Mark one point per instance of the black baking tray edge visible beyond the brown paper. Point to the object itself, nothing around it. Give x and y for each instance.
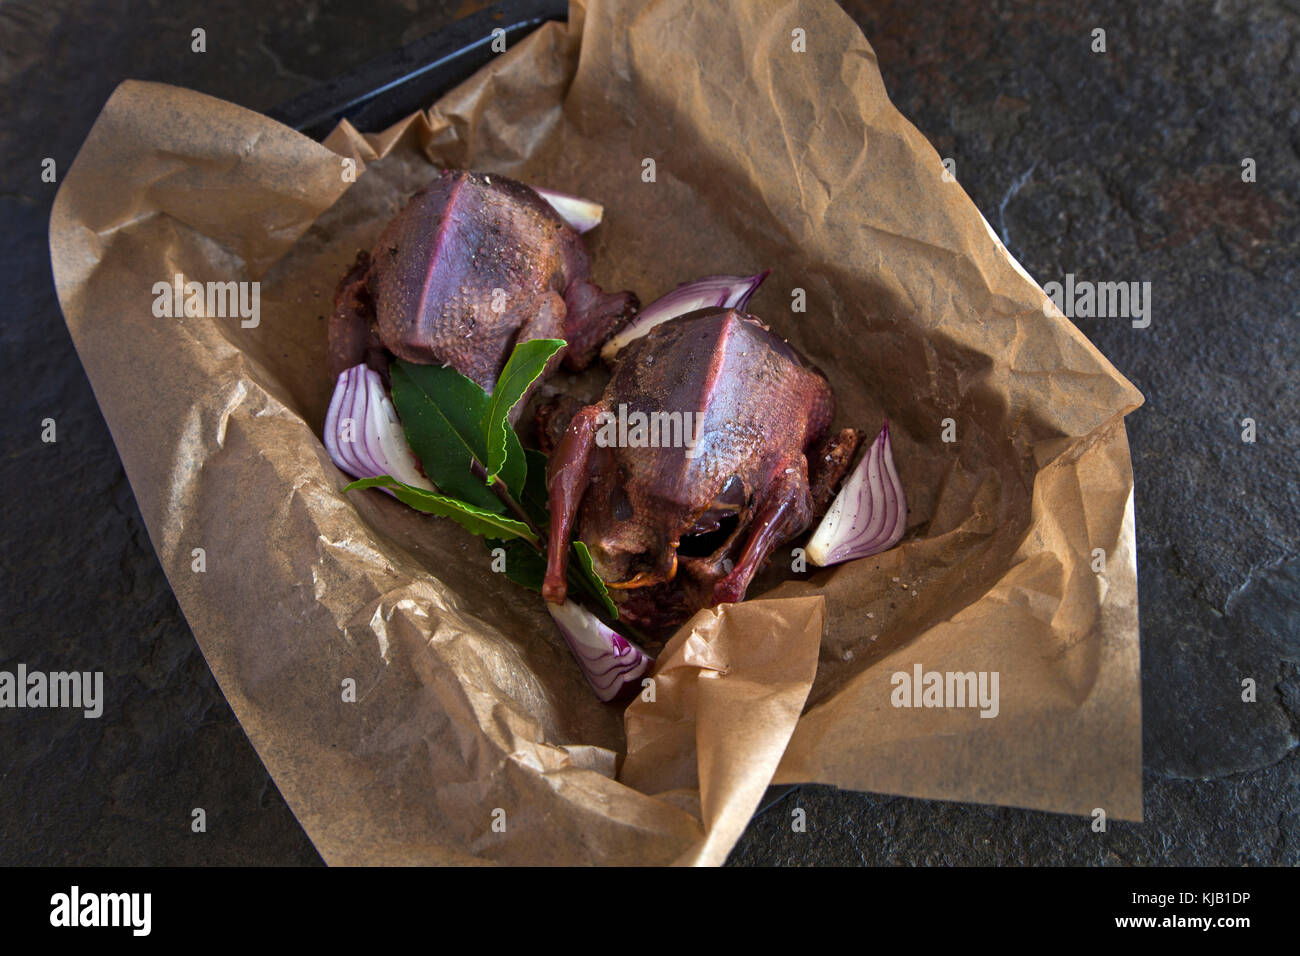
(410, 79)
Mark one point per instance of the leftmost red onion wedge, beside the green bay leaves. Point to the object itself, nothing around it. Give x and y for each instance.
(363, 435)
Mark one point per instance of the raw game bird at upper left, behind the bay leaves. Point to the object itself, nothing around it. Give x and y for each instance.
(471, 267)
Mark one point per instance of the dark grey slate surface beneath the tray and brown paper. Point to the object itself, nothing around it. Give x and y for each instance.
(1119, 166)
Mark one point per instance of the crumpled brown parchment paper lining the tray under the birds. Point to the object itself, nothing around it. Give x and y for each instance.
(474, 737)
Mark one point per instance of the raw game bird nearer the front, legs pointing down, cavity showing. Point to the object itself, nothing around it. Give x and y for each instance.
(673, 534)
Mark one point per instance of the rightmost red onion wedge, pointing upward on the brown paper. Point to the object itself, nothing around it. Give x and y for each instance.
(870, 513)
